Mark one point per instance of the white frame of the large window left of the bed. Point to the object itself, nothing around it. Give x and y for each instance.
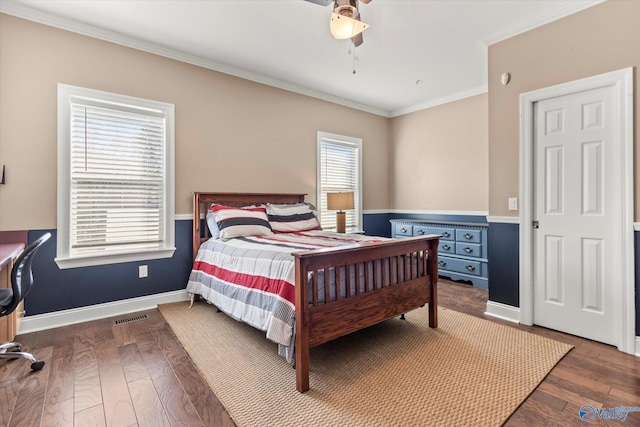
(64, 257)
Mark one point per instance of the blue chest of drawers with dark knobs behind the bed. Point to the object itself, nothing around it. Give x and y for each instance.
(462, 252)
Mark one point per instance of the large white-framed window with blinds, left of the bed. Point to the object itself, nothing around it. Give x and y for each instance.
(115, 178)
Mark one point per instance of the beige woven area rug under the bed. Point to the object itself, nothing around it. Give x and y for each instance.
(467, 372)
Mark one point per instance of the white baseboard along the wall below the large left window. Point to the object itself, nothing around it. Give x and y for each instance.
(72, 316)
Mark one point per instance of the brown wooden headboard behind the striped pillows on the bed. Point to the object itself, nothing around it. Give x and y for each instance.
(202, 201)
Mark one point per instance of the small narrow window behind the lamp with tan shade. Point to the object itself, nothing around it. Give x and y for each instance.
(339, 170)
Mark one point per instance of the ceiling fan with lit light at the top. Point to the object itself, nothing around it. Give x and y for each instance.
(345, 19)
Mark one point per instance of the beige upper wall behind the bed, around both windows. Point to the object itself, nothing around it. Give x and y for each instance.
(231, 134)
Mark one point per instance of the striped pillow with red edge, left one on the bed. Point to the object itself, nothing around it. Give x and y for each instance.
(241, 222)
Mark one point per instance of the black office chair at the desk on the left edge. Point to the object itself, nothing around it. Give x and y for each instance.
(21, 282)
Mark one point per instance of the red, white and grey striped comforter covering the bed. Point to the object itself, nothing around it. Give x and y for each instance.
(252, 279)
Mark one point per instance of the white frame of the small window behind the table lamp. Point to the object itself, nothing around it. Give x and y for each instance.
(357, 202)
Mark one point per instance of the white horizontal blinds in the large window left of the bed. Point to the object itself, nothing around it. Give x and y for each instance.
(117, 179)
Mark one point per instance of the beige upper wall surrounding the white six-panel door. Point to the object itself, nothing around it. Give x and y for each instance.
(600, 39)
